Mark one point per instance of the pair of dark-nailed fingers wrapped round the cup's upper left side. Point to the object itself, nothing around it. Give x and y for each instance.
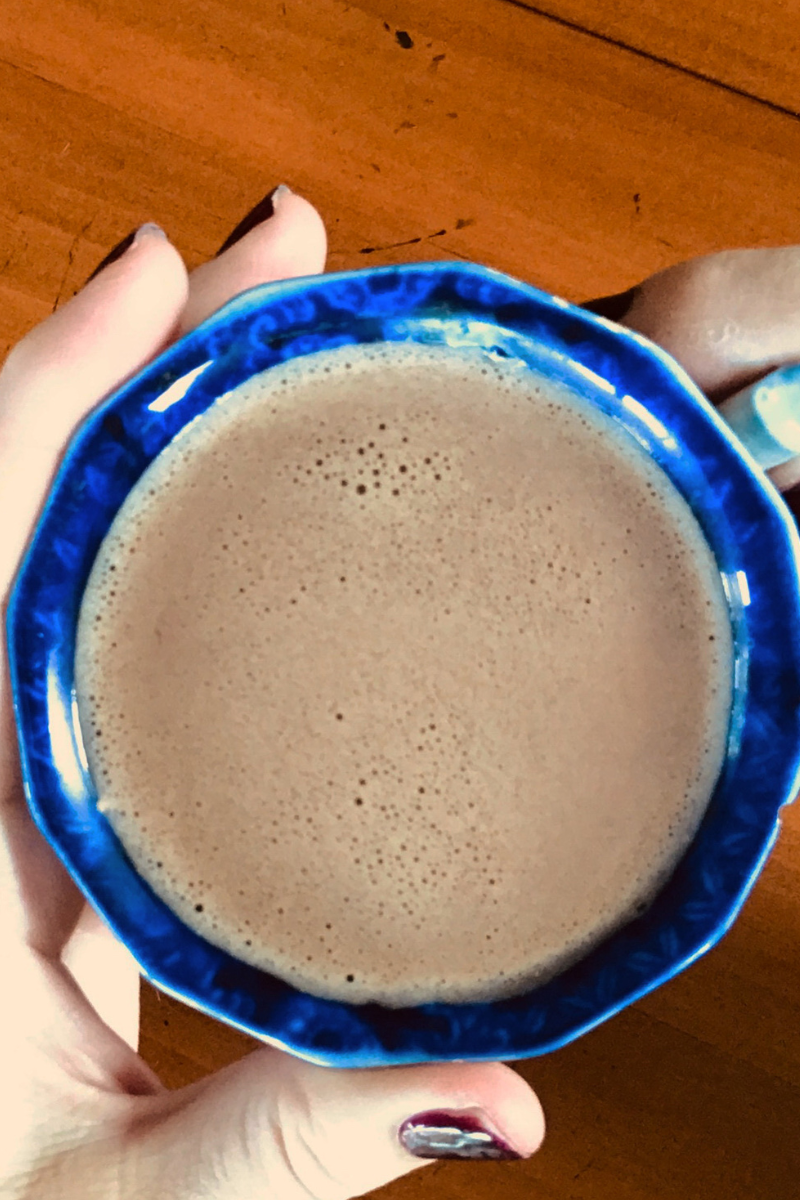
(111, 329)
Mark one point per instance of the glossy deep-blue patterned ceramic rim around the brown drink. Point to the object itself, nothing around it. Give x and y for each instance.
(747, 525)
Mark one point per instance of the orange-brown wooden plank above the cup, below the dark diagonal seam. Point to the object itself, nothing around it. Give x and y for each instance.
(581, 169)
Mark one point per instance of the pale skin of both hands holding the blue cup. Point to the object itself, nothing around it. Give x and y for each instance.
(83, 1115)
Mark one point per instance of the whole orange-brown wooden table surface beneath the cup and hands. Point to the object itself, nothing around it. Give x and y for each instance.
(579, 146)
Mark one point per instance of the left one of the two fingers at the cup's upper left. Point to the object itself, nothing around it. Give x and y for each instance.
(65, 367)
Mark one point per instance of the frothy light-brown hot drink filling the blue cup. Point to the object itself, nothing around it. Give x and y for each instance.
(405, 676)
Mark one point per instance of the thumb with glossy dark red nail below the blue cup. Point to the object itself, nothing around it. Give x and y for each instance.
(273, 1125)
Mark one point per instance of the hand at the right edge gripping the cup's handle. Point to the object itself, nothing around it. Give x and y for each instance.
(729, 319)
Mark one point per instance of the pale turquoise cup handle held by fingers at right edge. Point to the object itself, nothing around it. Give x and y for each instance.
(766, 417)
